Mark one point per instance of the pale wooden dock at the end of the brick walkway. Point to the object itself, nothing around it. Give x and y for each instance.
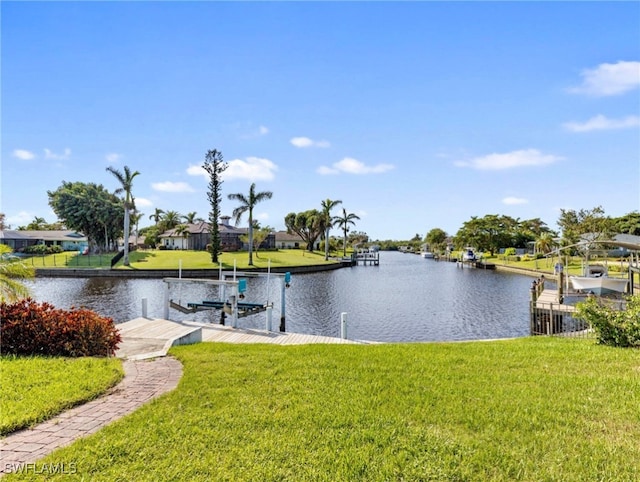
(152, 337)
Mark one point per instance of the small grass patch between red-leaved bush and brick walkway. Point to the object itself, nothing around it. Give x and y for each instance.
(36, 388)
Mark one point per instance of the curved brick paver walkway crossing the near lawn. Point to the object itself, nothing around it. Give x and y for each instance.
(143, 381)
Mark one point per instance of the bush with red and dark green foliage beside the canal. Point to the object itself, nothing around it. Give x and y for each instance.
(30, 328)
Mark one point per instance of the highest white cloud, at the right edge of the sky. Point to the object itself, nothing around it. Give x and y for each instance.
(609, 79)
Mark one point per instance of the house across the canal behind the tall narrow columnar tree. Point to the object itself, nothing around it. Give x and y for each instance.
(197, 237)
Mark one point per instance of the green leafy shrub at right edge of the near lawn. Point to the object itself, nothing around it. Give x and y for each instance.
(613, 327)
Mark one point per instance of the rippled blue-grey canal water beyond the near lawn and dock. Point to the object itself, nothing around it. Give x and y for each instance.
(405, 298)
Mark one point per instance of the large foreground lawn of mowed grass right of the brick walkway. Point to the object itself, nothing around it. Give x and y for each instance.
(526, 409)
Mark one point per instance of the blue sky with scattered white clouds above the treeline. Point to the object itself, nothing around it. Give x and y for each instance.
(417, 115)
